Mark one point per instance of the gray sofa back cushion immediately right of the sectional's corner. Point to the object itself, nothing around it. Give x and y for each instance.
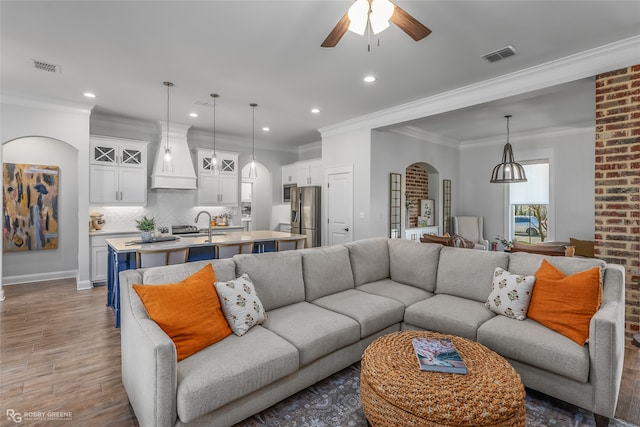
(414, 263)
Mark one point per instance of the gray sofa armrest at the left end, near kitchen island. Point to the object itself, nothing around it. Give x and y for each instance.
(149, 360)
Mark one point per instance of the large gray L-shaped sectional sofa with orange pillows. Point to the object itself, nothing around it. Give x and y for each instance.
(326, 305)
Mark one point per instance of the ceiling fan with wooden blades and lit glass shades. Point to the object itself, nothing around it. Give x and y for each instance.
(376, 14)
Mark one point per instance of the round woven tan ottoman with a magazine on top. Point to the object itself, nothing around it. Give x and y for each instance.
(395, 392)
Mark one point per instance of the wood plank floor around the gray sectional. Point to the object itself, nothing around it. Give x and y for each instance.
(59, 352)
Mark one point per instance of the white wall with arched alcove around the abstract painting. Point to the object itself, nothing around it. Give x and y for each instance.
(56, 135)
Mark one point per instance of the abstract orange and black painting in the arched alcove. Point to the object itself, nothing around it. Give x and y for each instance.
(30, 204)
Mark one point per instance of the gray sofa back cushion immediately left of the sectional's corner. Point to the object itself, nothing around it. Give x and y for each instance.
(369, 260)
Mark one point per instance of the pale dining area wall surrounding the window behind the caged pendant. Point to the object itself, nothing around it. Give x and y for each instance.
(571, 156)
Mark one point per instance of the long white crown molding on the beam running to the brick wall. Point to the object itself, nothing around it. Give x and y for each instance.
(589, 63)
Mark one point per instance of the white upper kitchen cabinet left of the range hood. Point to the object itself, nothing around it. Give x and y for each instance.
(118, 171)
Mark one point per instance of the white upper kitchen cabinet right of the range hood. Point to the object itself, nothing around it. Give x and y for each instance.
(220, 189)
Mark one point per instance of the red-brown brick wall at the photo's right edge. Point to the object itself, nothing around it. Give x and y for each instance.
(617, 181)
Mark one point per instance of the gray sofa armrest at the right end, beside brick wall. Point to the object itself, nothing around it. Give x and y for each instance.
(606, 342)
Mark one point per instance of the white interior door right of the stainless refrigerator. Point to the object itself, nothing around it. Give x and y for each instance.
(340, 207)
